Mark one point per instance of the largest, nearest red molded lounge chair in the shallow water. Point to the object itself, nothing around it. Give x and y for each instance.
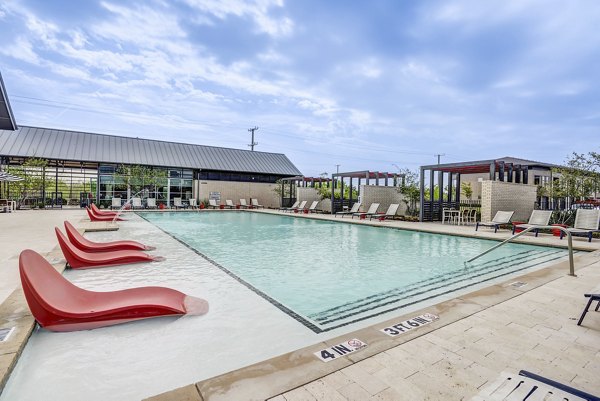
(59, 305)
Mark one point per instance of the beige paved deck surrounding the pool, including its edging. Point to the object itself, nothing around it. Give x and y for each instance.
(504, 327)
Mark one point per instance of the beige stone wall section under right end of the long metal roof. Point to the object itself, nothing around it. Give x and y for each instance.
(264, 192)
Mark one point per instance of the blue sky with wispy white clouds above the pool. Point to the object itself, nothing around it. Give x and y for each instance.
(334, 85)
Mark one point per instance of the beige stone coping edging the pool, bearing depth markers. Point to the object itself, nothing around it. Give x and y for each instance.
(278, 375)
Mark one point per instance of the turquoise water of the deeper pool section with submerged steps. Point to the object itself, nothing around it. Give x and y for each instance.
(327, 274)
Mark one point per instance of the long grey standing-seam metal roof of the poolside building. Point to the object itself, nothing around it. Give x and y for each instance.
(56, 144)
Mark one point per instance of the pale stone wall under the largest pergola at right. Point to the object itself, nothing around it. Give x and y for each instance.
(507, 196)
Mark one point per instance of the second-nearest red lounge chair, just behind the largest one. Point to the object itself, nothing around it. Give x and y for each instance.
(79, 259)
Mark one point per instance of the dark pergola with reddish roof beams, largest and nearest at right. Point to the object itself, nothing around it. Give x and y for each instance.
(506, 169)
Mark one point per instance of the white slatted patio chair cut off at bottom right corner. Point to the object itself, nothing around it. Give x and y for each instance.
(529, 386)
